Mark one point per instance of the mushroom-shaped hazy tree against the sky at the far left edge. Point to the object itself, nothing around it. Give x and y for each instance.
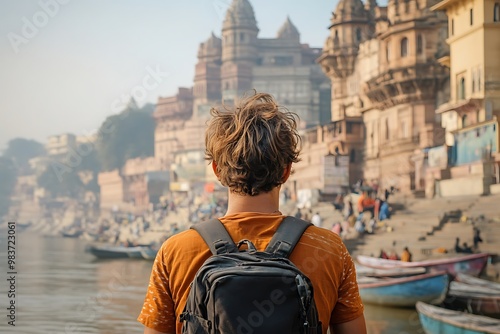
(21, 150)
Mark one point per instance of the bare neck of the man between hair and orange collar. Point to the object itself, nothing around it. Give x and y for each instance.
(264, 203)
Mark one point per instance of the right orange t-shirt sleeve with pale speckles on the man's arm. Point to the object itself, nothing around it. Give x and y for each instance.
(349, 305)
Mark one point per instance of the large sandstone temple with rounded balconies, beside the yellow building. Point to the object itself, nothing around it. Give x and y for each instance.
(386, 83)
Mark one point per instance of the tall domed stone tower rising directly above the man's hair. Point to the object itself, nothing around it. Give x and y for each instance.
(239, 50)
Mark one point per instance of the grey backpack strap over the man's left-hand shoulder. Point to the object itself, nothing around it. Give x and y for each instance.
(216, 236)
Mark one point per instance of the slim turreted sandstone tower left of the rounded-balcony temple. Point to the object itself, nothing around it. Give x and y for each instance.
(351, 25)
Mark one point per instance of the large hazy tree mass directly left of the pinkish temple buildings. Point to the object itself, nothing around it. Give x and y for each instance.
(125, 136)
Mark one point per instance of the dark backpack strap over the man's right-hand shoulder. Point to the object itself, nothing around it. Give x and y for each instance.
(287, 236)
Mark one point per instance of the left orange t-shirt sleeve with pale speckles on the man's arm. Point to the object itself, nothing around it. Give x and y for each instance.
(158, 311)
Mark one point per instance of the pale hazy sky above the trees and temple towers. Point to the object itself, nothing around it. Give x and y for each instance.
(67, 64)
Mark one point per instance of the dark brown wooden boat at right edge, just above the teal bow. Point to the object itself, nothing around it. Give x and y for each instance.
(474, 299)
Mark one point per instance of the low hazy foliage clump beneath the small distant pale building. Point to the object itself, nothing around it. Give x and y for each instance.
(61, 181)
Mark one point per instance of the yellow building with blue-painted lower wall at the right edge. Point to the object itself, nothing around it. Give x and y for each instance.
(471, 115)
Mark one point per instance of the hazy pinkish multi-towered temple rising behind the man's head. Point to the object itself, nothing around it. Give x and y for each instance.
(227, 68)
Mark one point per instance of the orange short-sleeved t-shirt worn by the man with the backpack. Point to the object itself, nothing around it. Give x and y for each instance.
(319, 254)
